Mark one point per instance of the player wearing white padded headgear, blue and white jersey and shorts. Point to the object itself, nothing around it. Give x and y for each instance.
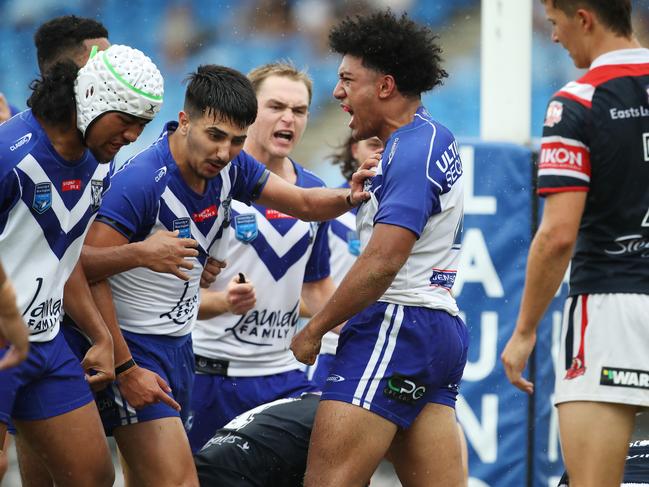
(54, 174)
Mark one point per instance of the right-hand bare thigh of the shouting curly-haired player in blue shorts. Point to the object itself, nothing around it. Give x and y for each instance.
(429, 452)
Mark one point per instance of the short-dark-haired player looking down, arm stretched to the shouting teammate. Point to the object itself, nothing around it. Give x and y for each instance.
(185, 182)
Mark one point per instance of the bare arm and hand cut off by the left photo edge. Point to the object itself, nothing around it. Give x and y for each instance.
(13, 331)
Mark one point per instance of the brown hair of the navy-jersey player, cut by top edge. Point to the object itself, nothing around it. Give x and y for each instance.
(614, 14)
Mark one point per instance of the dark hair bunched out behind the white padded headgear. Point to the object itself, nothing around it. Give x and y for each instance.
(52, 99)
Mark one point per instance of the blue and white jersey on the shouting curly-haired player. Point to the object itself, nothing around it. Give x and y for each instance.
(419, 186)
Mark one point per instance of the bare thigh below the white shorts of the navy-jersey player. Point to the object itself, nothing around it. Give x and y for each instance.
(595, 440)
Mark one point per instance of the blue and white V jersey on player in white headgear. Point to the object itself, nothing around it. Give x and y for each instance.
(46, 207)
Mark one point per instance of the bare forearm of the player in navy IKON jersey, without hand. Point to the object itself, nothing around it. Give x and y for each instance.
(546, 265)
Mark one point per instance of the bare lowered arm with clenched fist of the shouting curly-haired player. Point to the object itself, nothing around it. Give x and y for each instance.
(367, 280)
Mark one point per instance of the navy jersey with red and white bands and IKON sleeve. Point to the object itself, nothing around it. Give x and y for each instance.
(596, 139)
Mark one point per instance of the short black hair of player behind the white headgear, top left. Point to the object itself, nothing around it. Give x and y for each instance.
(62, 37)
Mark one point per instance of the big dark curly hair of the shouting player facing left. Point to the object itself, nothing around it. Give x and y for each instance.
(395, 46)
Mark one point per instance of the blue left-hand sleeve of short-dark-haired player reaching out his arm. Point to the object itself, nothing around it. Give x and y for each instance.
(130, 206)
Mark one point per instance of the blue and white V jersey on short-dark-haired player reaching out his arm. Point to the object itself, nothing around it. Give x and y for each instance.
(150, 195)
